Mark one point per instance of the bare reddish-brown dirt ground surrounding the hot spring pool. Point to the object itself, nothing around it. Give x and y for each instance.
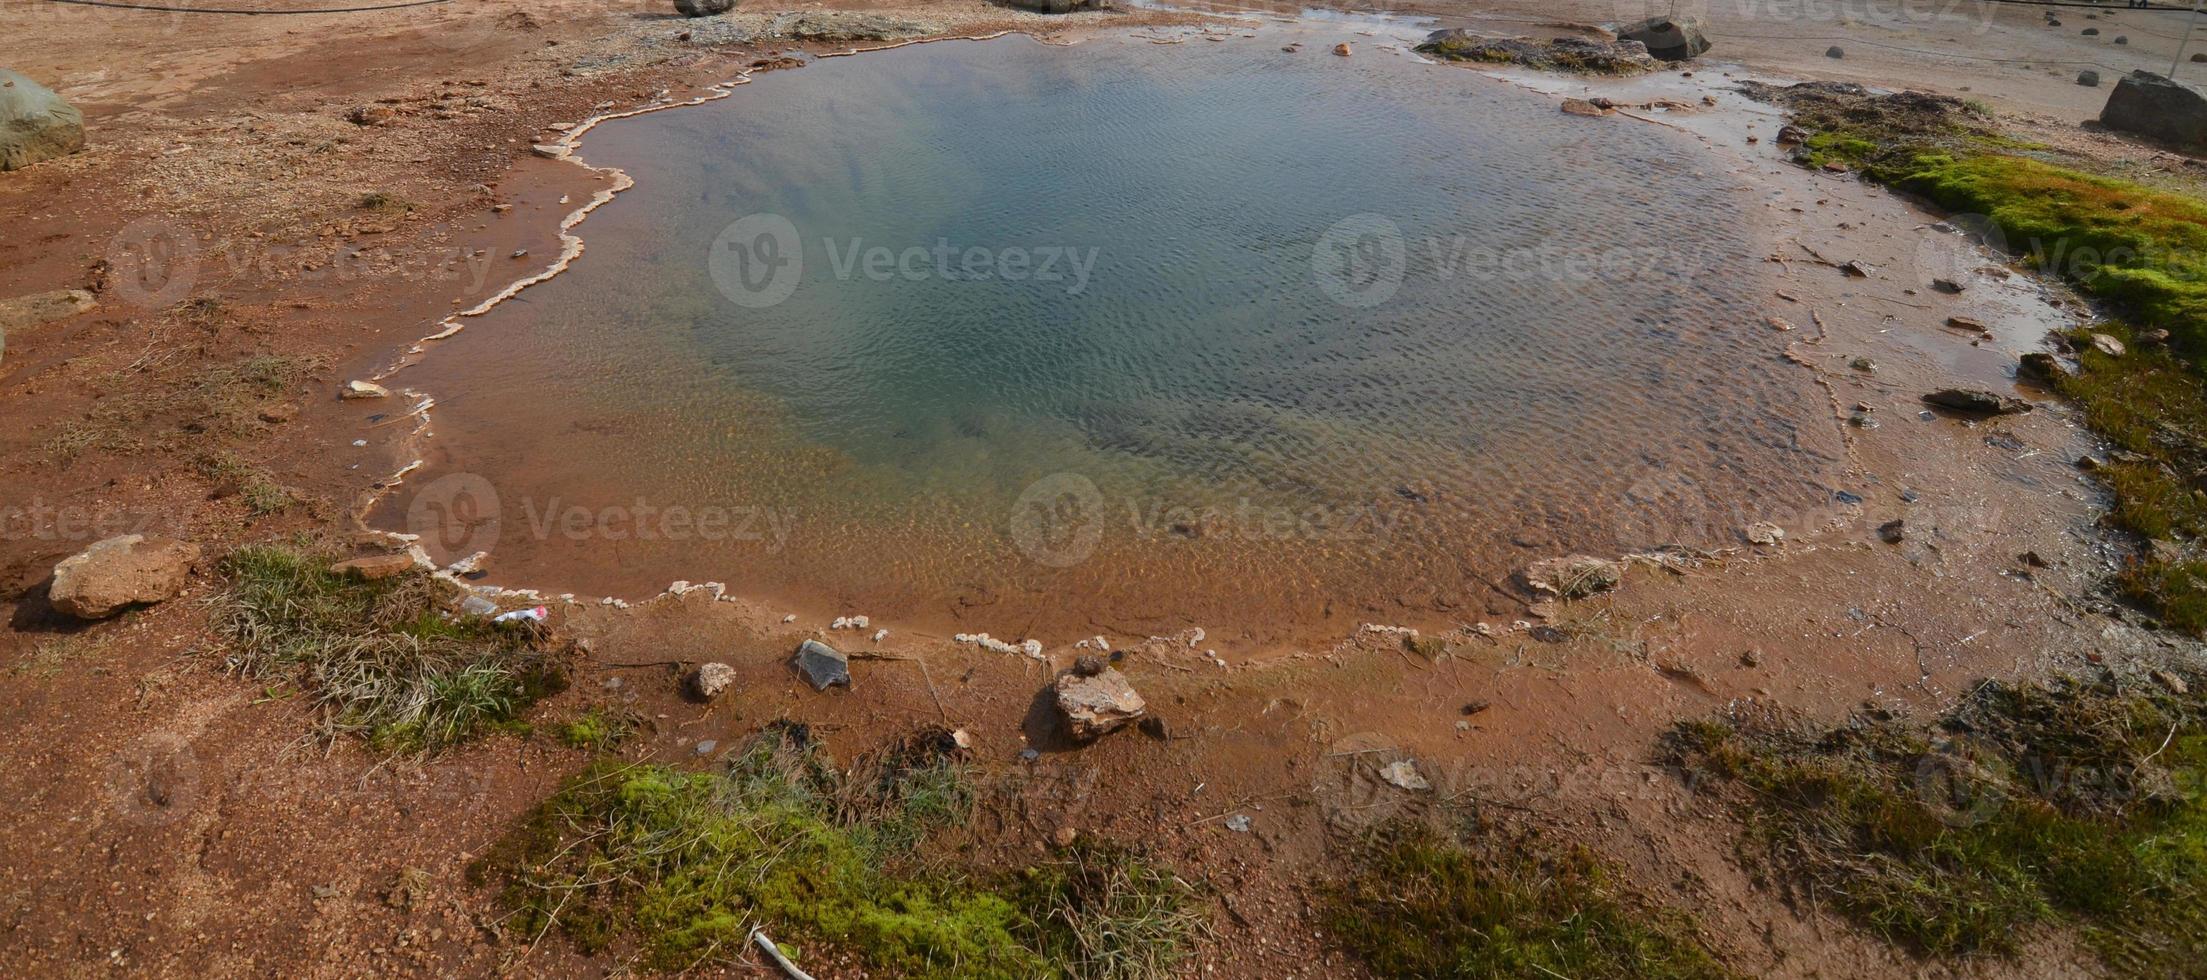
(171, 820)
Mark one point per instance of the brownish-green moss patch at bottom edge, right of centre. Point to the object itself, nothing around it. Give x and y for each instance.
(1431, 904)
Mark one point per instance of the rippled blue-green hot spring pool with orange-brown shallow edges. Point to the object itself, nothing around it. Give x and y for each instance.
(1286, 341)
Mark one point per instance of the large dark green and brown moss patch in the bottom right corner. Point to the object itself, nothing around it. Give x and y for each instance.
(2023, 809)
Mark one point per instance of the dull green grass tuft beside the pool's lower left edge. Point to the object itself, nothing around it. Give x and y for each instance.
(376, 659)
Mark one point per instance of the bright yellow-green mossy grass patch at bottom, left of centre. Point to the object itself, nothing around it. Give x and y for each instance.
(685, 866)
